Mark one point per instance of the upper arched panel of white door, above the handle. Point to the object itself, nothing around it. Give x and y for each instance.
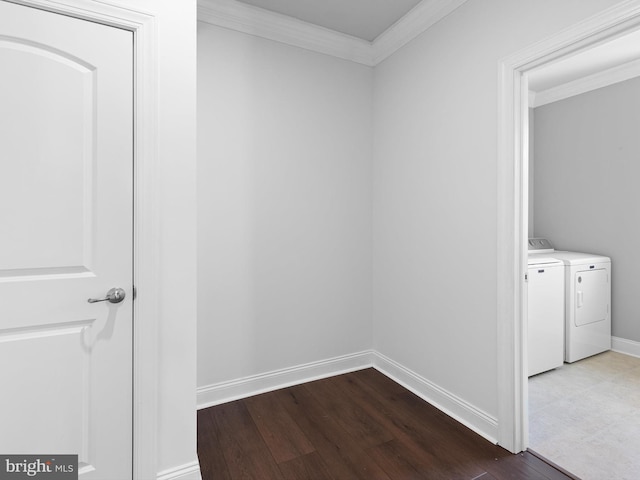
(48, 140)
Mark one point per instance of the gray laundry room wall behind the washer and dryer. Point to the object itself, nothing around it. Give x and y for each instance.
(586, 177)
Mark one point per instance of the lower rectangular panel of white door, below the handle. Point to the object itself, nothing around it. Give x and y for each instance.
(50, 359)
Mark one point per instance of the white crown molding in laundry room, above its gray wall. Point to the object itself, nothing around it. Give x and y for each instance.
(602, 79)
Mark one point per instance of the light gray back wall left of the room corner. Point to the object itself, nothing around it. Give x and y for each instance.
(284, 200)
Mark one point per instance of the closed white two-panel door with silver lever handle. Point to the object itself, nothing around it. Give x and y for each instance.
(66, 214)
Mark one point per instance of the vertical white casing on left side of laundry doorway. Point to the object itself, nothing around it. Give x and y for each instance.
(510, 266)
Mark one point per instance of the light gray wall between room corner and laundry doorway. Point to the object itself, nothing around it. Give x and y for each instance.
(435, 190)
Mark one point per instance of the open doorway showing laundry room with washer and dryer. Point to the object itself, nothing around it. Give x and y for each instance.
(583, 139)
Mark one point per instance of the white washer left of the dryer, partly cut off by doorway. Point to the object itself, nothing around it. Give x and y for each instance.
(545, 309)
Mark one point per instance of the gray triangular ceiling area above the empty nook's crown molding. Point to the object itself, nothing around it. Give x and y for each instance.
(364, 19)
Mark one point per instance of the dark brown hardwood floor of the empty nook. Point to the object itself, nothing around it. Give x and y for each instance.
(360, 425)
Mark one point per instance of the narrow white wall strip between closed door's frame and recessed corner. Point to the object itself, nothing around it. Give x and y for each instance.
(178, 267)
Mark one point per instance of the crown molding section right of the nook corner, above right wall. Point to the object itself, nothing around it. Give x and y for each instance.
(419, 19)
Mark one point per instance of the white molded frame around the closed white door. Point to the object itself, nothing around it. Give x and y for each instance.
(146, 214)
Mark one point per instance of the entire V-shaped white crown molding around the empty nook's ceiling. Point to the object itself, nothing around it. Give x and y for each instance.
(263, 23)
